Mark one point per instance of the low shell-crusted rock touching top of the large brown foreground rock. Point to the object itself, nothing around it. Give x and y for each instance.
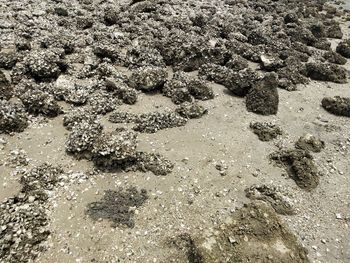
(275, 196)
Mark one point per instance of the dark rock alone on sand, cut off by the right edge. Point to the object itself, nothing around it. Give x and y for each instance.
(337, 105)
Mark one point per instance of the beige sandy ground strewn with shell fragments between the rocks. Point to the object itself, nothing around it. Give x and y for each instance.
(195, 196)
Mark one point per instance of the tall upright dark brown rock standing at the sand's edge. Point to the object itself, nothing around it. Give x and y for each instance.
(263, 98)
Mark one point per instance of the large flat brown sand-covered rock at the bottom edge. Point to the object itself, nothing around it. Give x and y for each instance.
(254, 233)
